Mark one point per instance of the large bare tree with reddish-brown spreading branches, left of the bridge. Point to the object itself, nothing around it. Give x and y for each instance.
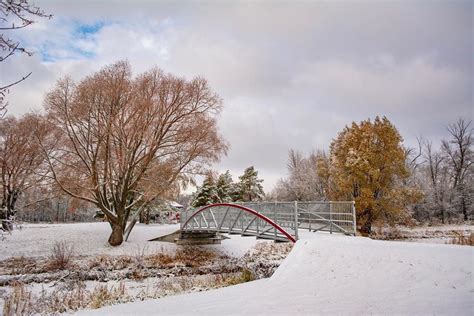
(121, 141)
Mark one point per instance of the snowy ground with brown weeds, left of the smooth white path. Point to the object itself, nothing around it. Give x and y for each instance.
(40, 274)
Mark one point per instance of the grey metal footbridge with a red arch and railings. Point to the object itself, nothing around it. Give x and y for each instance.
(279, 221)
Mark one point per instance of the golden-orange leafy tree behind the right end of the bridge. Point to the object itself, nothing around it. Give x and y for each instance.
(368, 166)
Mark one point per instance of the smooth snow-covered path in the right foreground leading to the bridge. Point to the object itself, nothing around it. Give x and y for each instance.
(336, 274)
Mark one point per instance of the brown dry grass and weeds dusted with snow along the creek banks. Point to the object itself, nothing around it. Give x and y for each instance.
(69, 295)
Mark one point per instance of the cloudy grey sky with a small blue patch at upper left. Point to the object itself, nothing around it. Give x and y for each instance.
(292, 74)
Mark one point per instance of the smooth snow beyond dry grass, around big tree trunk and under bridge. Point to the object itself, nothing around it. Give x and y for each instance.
(37, 240)
